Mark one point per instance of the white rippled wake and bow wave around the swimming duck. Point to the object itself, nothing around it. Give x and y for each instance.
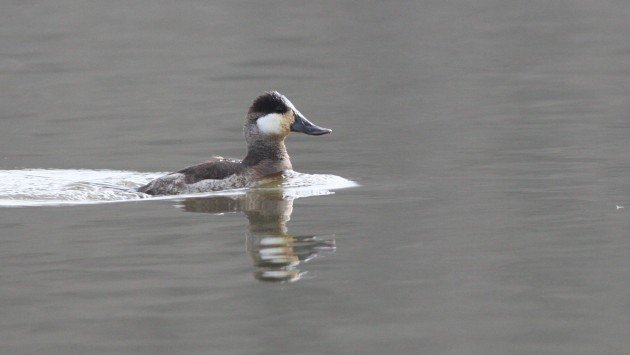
(42, 187)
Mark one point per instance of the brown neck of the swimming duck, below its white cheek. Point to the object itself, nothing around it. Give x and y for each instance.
(267, 156)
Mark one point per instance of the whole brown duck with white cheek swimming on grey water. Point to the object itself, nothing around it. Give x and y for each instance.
(269, 120)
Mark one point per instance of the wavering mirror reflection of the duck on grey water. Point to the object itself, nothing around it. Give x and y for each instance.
(276, 254)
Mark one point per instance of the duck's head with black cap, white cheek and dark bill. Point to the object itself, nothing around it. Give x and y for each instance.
(273, 116)
